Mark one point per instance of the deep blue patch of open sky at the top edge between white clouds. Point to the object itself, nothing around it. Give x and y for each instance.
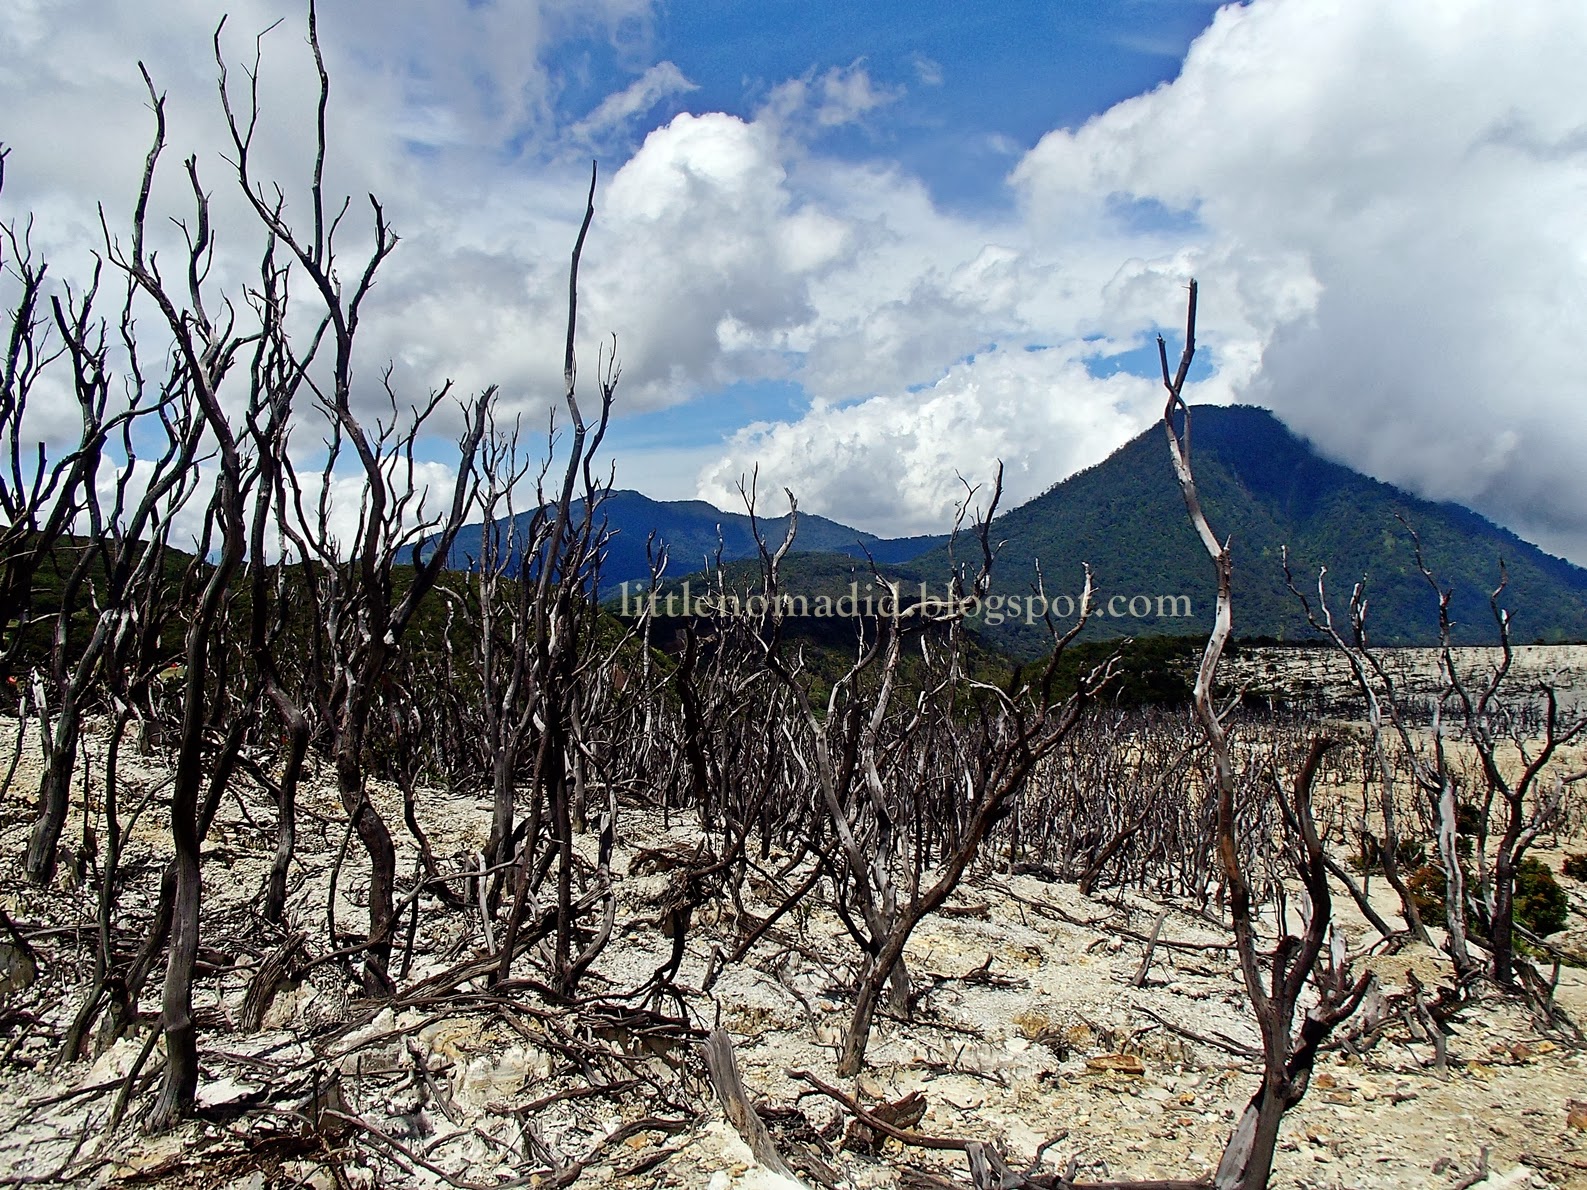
(977, 86)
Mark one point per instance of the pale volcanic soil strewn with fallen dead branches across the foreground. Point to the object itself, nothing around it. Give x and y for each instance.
(1029, 1032)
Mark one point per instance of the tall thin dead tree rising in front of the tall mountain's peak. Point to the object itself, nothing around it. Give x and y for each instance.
(1288, 1054)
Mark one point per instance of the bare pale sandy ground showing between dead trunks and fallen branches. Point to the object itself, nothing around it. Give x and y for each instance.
(1018, 1062)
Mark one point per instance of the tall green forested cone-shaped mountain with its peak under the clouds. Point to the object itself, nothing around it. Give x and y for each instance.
(1266, 488)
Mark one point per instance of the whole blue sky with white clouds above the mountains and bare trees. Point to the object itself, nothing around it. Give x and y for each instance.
(874, 248)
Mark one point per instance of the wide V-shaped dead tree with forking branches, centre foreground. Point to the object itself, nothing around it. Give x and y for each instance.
(975, 750)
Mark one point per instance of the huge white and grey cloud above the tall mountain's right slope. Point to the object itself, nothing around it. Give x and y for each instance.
(1408, 182)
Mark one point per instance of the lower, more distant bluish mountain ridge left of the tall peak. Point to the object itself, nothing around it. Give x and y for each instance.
(693, 531)
